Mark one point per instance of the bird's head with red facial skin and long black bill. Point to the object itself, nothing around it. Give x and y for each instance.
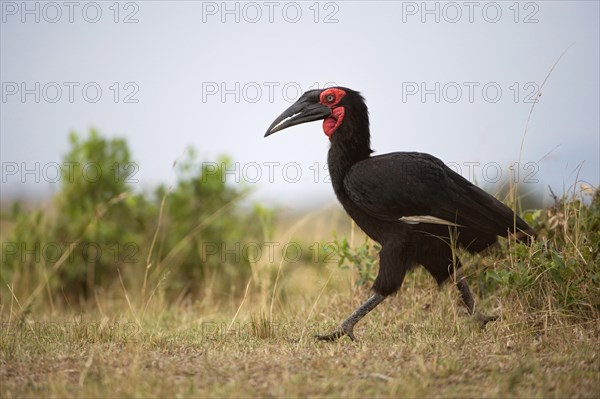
(334, 105)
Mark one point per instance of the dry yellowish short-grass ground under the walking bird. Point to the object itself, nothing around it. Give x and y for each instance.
(418, 343)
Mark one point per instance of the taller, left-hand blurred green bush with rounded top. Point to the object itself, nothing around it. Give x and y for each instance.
(96, 205)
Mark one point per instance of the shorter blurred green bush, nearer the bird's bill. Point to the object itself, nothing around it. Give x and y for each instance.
(204, 228)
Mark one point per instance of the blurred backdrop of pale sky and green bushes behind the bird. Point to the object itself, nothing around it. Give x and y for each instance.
(132, 132)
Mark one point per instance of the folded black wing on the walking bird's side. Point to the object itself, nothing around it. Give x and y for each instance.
(404, 184)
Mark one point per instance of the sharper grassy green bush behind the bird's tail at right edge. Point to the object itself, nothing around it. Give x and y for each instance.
(561, 270)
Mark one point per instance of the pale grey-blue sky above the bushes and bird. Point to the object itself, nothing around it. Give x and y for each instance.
(453, 79)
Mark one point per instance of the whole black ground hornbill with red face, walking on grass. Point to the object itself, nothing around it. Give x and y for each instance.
(409, 202)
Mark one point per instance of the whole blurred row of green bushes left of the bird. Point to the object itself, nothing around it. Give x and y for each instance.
(98, 229)
